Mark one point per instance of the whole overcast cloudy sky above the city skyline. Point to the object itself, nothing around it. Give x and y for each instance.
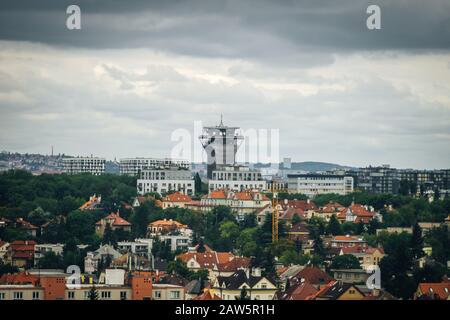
(138, 70)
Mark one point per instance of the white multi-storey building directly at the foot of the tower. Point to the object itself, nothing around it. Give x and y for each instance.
(237, 178)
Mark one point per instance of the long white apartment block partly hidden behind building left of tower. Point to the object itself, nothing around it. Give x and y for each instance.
(133, 166)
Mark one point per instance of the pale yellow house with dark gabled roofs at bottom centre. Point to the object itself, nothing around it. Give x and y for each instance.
(257, 286)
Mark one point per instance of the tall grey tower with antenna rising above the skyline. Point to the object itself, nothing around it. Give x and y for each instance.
(221, 144)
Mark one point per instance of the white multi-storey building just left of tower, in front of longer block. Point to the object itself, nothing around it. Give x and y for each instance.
(166, 180)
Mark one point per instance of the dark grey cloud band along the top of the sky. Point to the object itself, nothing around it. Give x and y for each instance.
(275, 30)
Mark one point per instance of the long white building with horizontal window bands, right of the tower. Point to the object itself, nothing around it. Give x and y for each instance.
(315, 184)
